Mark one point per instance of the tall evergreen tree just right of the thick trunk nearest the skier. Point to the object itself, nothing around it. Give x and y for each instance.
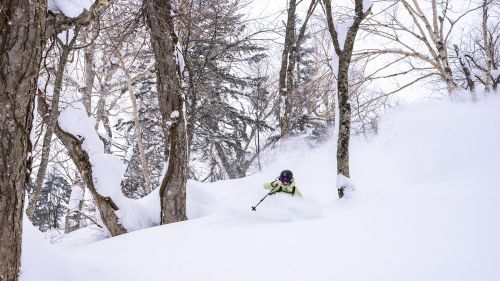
(217, 51)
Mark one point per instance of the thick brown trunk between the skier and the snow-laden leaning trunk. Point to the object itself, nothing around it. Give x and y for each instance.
(172, 107)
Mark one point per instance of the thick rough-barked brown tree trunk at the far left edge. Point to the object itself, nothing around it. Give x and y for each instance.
(22, 24)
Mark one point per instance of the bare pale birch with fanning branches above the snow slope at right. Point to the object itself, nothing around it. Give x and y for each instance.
(422, 36)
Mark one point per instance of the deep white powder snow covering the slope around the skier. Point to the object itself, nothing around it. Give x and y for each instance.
(426, 207)
